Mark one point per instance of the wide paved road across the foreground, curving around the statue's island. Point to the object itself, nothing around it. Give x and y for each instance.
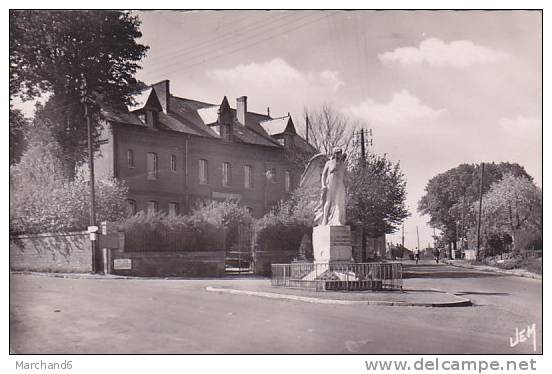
(56, 315)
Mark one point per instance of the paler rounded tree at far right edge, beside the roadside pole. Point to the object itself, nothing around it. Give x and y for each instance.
(512, 205)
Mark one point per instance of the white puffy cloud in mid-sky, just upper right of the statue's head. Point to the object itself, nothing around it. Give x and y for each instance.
(402, 108)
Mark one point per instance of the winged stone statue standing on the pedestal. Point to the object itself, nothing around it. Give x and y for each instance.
(329, 175)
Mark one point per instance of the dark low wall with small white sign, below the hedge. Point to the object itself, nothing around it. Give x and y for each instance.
(164, 264)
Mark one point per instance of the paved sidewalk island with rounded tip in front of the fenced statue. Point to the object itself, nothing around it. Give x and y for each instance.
(407, 297)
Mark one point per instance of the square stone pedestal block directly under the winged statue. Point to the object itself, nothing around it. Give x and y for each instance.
(332, 244)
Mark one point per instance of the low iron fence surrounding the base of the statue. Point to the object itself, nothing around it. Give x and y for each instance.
(329, 276)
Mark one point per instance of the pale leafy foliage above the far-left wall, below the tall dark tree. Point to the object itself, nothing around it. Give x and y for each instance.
(42, 198)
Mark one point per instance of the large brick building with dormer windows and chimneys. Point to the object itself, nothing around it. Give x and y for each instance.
(175, 152)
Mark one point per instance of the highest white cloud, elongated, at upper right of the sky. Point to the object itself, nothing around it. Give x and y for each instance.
(437, 53)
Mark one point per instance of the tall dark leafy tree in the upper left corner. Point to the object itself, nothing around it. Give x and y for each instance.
(72, 55)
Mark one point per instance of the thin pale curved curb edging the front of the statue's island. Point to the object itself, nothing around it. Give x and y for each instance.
(314, 300)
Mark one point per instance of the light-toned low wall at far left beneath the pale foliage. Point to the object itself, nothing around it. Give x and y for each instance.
(51, 252)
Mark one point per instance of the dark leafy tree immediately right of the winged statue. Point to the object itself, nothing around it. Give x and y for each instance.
(376, 195)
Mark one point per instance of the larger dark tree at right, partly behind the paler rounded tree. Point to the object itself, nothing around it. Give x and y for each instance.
(449, 196)
